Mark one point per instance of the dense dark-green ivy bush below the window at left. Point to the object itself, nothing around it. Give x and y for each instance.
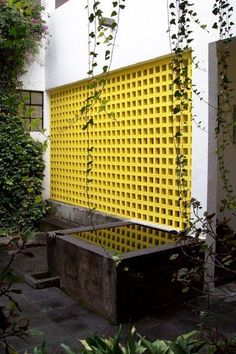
(21, 169)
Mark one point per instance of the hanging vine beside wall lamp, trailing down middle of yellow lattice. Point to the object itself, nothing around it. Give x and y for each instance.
(102, 32)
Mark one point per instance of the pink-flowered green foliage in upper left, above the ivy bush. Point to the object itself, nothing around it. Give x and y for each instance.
(21, 30)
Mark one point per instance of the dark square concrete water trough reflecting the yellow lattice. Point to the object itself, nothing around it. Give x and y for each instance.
(138, 283)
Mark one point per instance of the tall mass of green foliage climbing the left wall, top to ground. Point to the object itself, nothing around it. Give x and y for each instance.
(21, 163)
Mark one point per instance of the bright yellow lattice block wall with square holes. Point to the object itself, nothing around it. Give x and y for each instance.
(134, 157)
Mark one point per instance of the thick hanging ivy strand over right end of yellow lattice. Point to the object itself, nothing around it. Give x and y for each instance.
(180, 16)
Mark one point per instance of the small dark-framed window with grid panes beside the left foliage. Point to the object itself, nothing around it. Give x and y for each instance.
(32, 110)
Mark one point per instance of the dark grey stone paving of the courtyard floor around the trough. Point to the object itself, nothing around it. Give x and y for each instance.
(62, 320)
